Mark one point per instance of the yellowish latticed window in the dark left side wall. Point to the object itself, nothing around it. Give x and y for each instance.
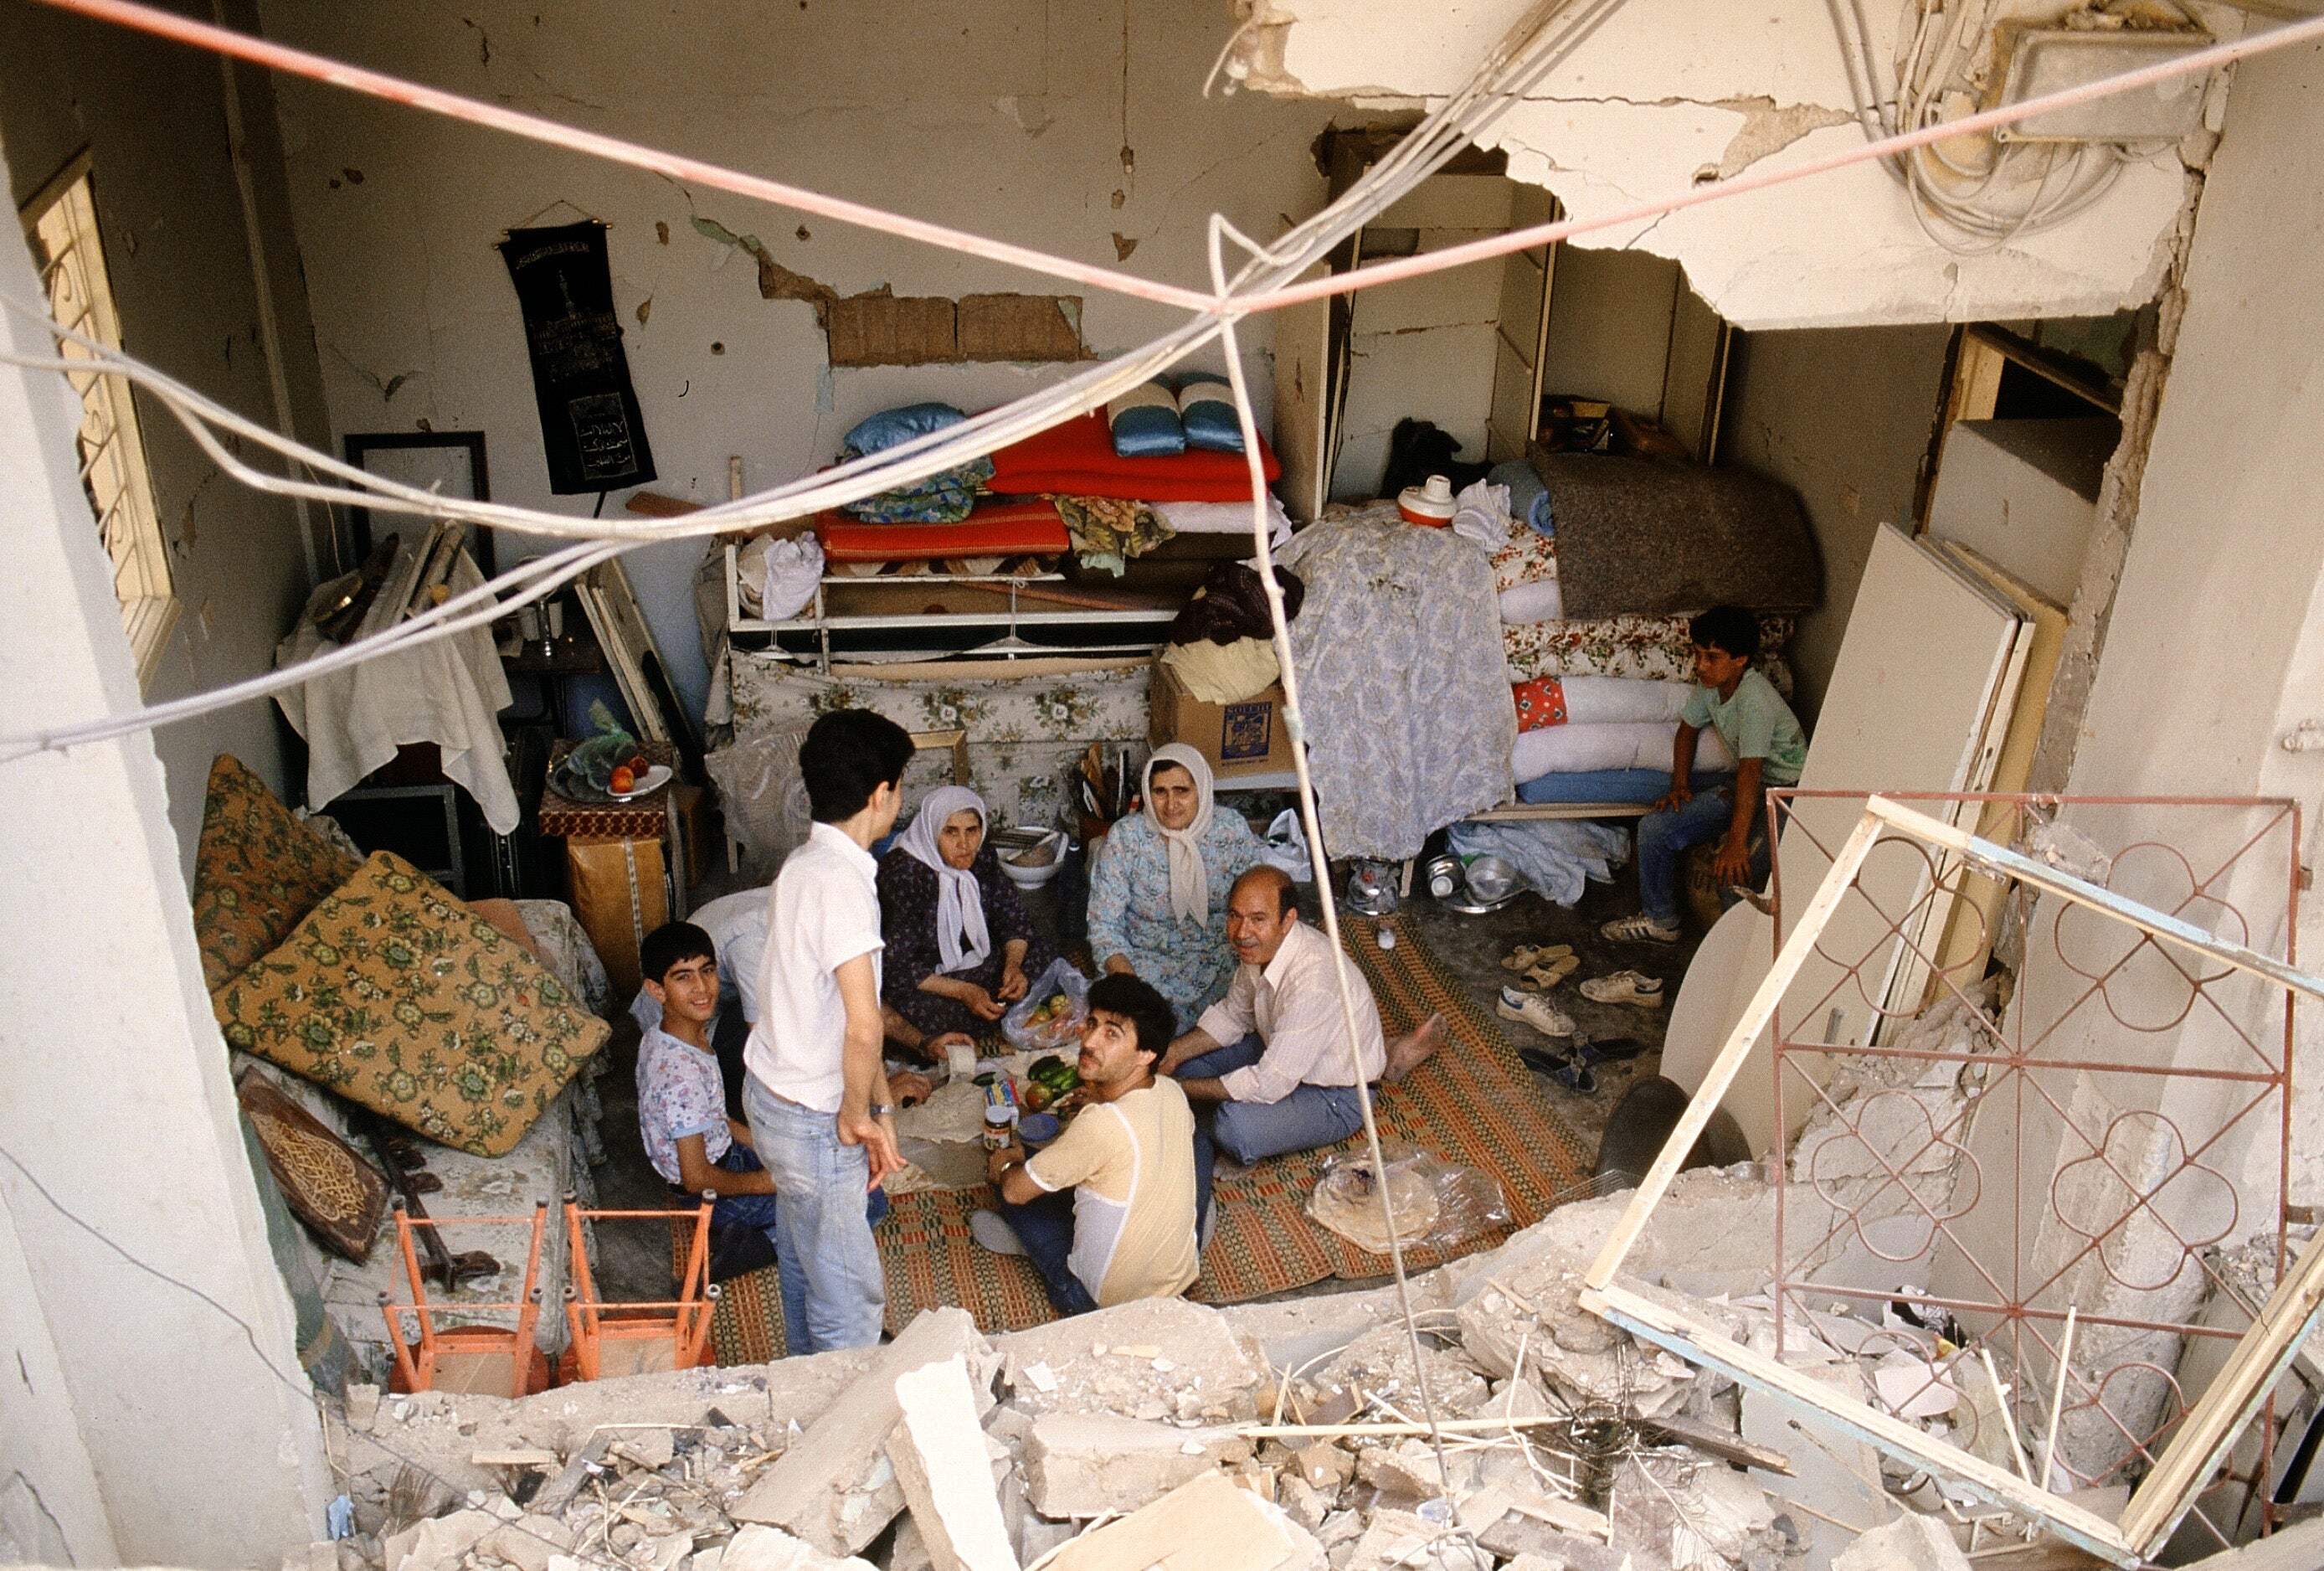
(62, 227)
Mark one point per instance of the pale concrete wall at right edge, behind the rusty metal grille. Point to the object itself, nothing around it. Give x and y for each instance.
(2211, 652)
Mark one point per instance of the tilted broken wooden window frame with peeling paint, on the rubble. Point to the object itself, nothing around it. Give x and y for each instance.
(2207, 1433)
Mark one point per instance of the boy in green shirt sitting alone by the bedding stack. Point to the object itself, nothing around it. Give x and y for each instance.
(1767, 745)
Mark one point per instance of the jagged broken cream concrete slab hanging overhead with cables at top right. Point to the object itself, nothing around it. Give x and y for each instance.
(1667, 94)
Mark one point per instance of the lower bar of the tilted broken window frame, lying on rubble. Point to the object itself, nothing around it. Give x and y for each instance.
(1709, 1347)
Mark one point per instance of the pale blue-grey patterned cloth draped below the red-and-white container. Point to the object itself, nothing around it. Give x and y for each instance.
(1400, 680)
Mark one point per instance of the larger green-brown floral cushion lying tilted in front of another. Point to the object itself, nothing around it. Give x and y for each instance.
(401, 998)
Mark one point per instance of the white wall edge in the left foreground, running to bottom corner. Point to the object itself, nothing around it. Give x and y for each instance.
(192, 1421)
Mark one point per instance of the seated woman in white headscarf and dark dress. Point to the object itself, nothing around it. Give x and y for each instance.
(961, 947)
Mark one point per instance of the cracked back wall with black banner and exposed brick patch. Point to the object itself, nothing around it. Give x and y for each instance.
(1010, 120)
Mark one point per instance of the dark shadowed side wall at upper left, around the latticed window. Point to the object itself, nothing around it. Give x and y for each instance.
(182, 236)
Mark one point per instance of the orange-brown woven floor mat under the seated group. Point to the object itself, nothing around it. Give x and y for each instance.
(1475, 1105)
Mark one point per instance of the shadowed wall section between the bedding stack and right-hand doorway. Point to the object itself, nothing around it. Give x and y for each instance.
(1844, 419)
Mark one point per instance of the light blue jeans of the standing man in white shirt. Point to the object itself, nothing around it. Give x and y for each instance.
(833, 1286)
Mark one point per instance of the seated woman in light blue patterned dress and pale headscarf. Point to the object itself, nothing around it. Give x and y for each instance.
(1159, 896)
